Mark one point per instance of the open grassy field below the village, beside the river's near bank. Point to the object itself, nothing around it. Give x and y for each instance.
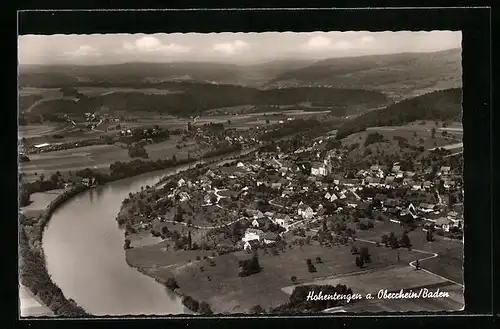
(227, 292)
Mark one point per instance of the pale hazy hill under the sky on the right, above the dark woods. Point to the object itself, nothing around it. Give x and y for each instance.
(398, 75)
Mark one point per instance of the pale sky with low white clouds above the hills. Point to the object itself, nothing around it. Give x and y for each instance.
(225, 47)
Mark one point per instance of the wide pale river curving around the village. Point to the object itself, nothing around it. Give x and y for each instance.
(83, 248)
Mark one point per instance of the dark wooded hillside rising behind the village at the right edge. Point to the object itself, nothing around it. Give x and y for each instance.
(438, 105)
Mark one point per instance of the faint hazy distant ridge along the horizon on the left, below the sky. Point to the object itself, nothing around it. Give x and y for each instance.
(143, 73)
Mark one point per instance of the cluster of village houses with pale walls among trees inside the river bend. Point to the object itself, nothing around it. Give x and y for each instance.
(275, 193)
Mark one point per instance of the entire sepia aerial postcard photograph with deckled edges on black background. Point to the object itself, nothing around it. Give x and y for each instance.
(240, 173)
